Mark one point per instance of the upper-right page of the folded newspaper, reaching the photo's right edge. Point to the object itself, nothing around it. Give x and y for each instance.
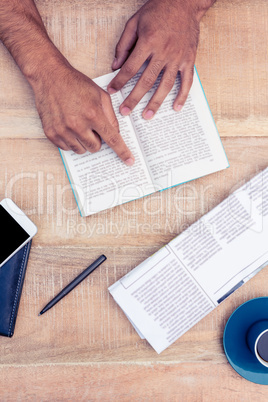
(230, 242)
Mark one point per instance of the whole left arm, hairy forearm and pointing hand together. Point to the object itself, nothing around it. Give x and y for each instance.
(75, 112)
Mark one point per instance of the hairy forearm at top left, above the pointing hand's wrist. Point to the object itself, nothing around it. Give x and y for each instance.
(23, 33)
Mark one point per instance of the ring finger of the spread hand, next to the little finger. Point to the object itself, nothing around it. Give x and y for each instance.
(165, 86)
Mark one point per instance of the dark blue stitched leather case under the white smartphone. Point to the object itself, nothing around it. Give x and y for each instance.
(11, 282)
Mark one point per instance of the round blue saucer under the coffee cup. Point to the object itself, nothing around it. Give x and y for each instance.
(235, 343)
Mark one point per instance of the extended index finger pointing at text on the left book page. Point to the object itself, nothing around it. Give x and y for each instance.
(114, 140)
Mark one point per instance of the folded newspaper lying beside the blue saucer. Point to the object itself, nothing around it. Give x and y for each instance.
(171, 291)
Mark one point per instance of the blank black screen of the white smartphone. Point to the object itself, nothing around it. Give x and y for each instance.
(12, 235)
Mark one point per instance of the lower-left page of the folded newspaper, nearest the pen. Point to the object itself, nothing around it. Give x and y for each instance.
(161, 299)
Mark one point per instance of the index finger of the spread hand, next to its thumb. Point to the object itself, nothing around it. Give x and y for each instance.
(139, 55)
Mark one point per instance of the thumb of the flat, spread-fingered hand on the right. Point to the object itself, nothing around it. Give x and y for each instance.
(125, 44)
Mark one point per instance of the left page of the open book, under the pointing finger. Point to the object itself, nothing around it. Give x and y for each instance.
(101, 180)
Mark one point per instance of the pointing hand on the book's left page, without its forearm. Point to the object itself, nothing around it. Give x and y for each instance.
(76, 113)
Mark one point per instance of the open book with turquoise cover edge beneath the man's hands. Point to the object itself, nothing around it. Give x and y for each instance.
(172, 148)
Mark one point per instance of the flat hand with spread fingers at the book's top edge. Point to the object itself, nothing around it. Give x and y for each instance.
(166, 33)
